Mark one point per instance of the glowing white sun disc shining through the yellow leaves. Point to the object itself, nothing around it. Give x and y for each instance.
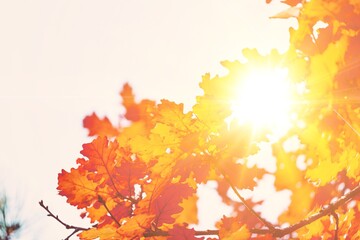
(264, 99)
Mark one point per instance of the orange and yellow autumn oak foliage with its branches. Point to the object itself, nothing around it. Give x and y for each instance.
(139, 180)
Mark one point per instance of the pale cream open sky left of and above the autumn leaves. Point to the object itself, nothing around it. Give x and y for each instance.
(62, 60)
